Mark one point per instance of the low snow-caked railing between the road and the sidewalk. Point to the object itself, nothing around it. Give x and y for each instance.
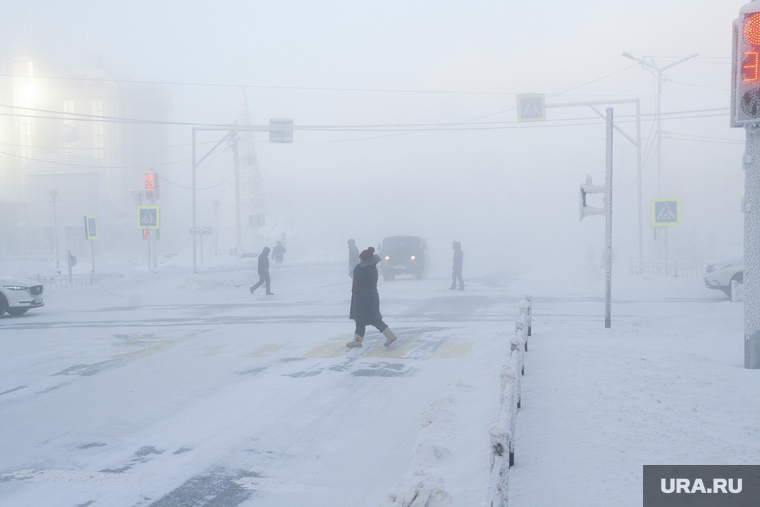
(503, 432)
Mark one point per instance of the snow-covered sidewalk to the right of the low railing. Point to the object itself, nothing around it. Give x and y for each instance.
(666, 385)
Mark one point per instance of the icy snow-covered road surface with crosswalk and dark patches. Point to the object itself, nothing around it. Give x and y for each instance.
(169, 390)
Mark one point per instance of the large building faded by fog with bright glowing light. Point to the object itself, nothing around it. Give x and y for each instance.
(65, 128)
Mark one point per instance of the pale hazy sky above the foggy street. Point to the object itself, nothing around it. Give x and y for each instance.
(486, 188)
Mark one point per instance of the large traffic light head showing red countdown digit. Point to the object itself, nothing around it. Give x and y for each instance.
(745, 78)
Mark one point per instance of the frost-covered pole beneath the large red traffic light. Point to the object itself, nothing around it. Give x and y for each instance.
(752, 247)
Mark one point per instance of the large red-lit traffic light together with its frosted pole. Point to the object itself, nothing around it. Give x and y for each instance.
(745, 112)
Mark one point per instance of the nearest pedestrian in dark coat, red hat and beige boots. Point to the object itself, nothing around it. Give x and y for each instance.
(365, 301)
